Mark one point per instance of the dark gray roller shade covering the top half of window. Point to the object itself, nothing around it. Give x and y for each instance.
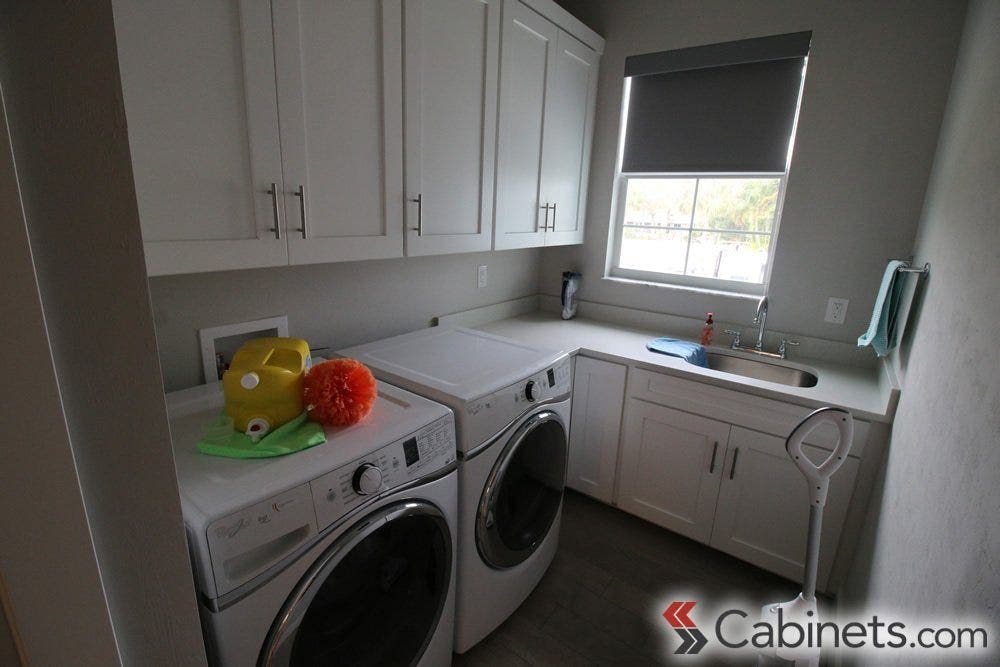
(720, 108)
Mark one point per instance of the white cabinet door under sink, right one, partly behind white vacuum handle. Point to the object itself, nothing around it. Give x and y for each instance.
(763, 512)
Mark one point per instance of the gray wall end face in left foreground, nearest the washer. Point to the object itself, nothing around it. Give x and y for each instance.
(59, 73)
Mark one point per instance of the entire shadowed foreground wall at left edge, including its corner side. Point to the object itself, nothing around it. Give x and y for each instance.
(63, 103)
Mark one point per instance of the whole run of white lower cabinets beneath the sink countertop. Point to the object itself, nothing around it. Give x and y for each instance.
(707, 476)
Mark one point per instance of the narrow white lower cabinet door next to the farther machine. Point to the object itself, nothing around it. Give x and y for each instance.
(598, 397)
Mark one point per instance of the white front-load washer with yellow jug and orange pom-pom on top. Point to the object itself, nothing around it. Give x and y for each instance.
(344, 553)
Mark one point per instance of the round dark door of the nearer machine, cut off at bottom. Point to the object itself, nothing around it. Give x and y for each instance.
(373, 598)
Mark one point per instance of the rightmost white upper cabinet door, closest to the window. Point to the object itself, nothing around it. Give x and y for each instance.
(569, 128)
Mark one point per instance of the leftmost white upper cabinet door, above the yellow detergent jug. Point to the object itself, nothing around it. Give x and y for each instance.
(198, 83)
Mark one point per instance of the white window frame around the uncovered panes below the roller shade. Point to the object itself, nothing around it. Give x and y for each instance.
(615, 270)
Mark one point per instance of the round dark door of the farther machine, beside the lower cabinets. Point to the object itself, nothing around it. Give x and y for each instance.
(523, 492)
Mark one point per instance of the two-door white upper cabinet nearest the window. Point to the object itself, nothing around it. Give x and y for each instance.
(548, 89)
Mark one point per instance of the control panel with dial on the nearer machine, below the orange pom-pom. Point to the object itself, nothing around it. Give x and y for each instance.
(340, 491)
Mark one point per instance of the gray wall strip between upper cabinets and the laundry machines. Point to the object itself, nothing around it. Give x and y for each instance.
(334, 305)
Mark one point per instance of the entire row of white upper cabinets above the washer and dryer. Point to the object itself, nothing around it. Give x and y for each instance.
(291, 132)
